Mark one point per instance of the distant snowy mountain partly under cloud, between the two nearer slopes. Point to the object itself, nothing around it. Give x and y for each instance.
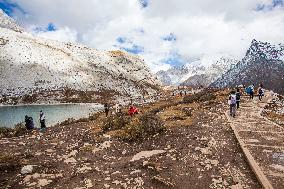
(196, 74)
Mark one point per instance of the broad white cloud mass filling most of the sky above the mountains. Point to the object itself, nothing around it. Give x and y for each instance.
(203, 28)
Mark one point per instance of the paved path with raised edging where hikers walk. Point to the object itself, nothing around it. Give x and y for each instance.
(262, 142)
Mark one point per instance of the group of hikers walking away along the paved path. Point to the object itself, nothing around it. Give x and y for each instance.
(235, 97)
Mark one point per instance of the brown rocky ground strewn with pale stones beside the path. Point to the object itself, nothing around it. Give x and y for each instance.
(196, 150)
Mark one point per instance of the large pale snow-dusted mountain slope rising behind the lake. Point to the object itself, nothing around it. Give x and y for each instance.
(29, 64)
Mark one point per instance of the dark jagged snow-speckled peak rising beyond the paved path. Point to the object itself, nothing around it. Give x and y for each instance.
(263, 63)
